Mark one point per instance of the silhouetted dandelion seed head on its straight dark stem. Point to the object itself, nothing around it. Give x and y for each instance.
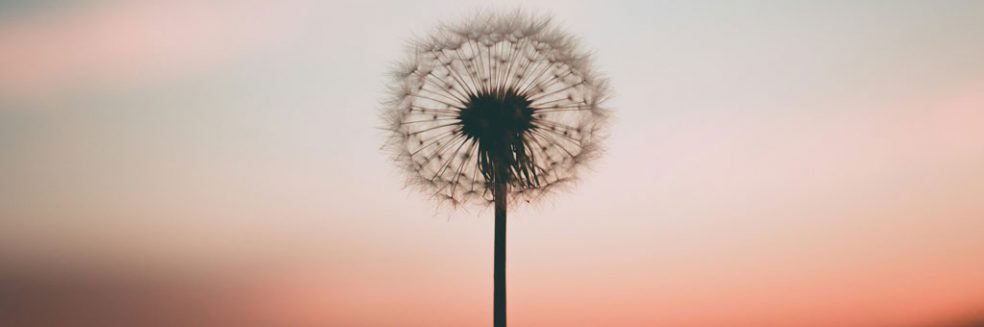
(498, 108)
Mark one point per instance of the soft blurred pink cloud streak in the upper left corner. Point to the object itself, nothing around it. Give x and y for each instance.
(127, 42)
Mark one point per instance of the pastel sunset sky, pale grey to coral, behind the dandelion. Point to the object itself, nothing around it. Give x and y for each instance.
(770, 163)
